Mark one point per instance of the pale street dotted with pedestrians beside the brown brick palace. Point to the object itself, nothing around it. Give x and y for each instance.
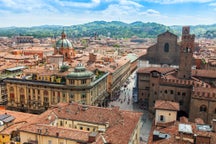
(125, 102)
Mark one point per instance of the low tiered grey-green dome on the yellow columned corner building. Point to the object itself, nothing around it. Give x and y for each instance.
(80, 73)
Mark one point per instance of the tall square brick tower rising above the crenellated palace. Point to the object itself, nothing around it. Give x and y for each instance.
(186, 53)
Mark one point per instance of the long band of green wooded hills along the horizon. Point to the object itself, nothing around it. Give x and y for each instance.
(114, 29)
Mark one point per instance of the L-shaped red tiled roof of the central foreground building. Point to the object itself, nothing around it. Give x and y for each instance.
(121, 123)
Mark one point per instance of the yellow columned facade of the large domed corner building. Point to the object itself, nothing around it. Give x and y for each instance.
(34, 92)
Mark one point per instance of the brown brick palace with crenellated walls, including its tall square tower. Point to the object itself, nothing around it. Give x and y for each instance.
(192, 89)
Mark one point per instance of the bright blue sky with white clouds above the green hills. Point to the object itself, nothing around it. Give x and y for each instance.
(72, 12)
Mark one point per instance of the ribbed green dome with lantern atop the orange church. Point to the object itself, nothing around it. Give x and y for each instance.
(63, 42)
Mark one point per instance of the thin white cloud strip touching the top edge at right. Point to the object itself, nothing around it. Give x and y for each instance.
(177, 1)
